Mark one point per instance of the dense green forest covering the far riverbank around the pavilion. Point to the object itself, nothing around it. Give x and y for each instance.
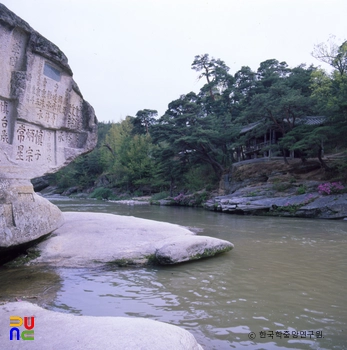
(199, 137)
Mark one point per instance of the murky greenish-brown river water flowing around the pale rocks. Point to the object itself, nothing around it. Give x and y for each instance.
(285, 275)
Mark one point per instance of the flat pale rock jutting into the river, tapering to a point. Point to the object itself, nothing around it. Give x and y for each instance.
(90, 239)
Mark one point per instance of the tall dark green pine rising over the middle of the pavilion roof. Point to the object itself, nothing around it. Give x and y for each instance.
(280, 102)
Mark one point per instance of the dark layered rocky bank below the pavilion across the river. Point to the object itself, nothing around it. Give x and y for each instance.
(269, 187)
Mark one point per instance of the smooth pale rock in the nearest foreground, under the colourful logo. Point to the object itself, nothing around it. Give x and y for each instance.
(55, 330)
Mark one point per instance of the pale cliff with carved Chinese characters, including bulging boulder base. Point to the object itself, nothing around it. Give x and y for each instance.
(44, 124)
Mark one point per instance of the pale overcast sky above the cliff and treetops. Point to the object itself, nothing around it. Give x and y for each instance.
(129, 55)
